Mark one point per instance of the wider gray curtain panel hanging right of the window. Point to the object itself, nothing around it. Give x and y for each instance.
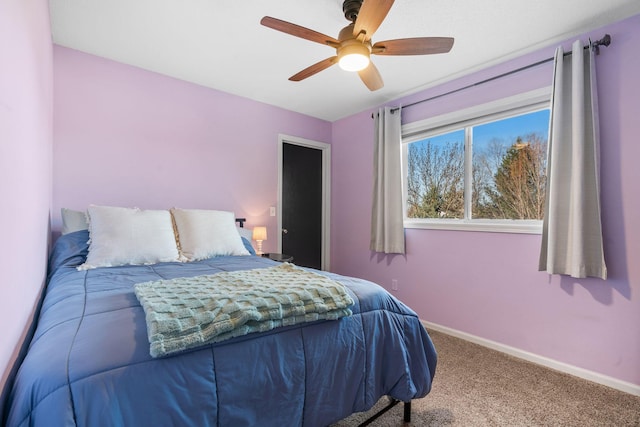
(572, 230)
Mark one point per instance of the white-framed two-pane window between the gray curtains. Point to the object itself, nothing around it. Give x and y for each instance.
(481, 169)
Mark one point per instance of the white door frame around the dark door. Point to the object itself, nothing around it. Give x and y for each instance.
(326, 192)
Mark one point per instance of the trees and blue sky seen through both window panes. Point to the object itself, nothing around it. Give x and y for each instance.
(508, 171)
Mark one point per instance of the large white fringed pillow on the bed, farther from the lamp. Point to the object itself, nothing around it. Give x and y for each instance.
(121, 236)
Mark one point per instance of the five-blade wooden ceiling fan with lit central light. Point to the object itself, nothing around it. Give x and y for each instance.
(354, 46)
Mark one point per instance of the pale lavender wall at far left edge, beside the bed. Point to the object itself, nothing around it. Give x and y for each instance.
(25, 167)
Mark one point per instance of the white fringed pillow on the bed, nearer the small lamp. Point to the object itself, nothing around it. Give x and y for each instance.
(204, 234)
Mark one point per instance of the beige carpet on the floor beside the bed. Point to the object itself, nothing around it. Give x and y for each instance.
(476, 386)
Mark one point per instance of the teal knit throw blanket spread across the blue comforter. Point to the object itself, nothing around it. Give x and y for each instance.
(189, 312)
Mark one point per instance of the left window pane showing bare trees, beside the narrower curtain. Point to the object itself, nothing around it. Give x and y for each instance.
(435, 177)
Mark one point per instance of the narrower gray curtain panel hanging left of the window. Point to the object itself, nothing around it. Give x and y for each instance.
(387, 227)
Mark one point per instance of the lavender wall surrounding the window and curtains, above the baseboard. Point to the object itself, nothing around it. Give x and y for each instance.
(487, 284)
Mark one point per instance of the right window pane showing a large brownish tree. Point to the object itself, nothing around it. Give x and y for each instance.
(509, 167)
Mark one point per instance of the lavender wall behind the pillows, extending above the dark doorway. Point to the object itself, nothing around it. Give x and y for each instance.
(128, 137)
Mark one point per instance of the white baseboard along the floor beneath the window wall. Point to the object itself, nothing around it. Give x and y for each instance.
(615, 383)
